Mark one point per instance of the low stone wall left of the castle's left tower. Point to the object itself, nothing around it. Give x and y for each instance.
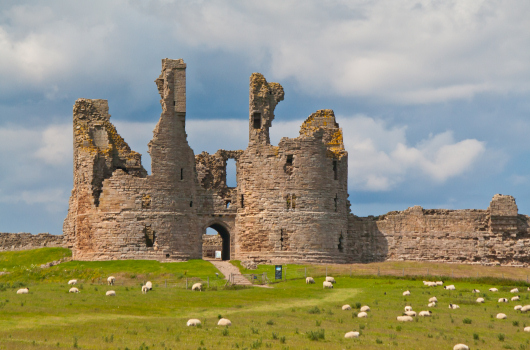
(26, 241)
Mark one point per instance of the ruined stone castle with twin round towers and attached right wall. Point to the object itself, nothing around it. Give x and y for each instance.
(290, 203)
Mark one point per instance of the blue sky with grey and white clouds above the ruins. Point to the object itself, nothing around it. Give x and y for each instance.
(433, 97)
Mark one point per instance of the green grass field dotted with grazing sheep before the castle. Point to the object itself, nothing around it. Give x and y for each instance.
(291, 315)
